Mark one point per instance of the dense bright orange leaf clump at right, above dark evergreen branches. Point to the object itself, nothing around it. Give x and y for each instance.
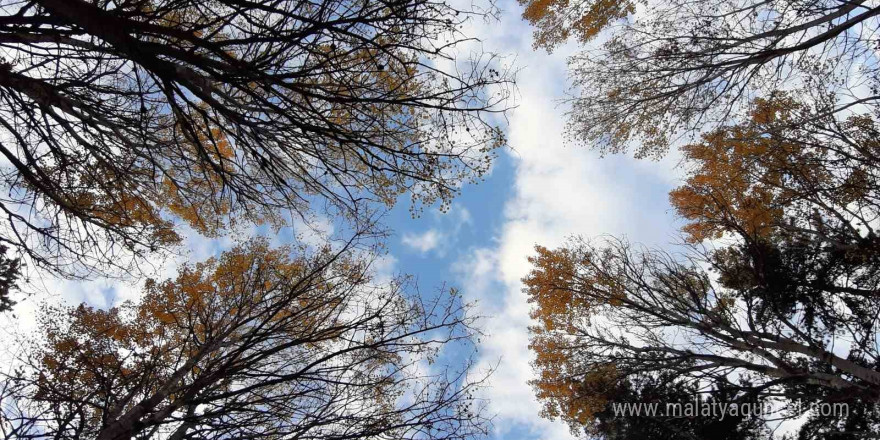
(741, 179)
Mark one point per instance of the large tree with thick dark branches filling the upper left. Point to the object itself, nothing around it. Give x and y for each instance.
(122, 118)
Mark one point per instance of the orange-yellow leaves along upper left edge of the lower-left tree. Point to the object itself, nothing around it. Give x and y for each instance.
(98, 351)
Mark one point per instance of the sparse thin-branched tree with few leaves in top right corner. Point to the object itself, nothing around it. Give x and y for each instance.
(675, 68)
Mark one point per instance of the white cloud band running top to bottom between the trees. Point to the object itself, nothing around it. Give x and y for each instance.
(558, 190)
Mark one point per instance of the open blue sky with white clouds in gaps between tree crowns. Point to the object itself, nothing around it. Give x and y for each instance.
(541, 190)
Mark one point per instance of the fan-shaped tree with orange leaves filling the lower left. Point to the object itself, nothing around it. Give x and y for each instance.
(259, 343)
